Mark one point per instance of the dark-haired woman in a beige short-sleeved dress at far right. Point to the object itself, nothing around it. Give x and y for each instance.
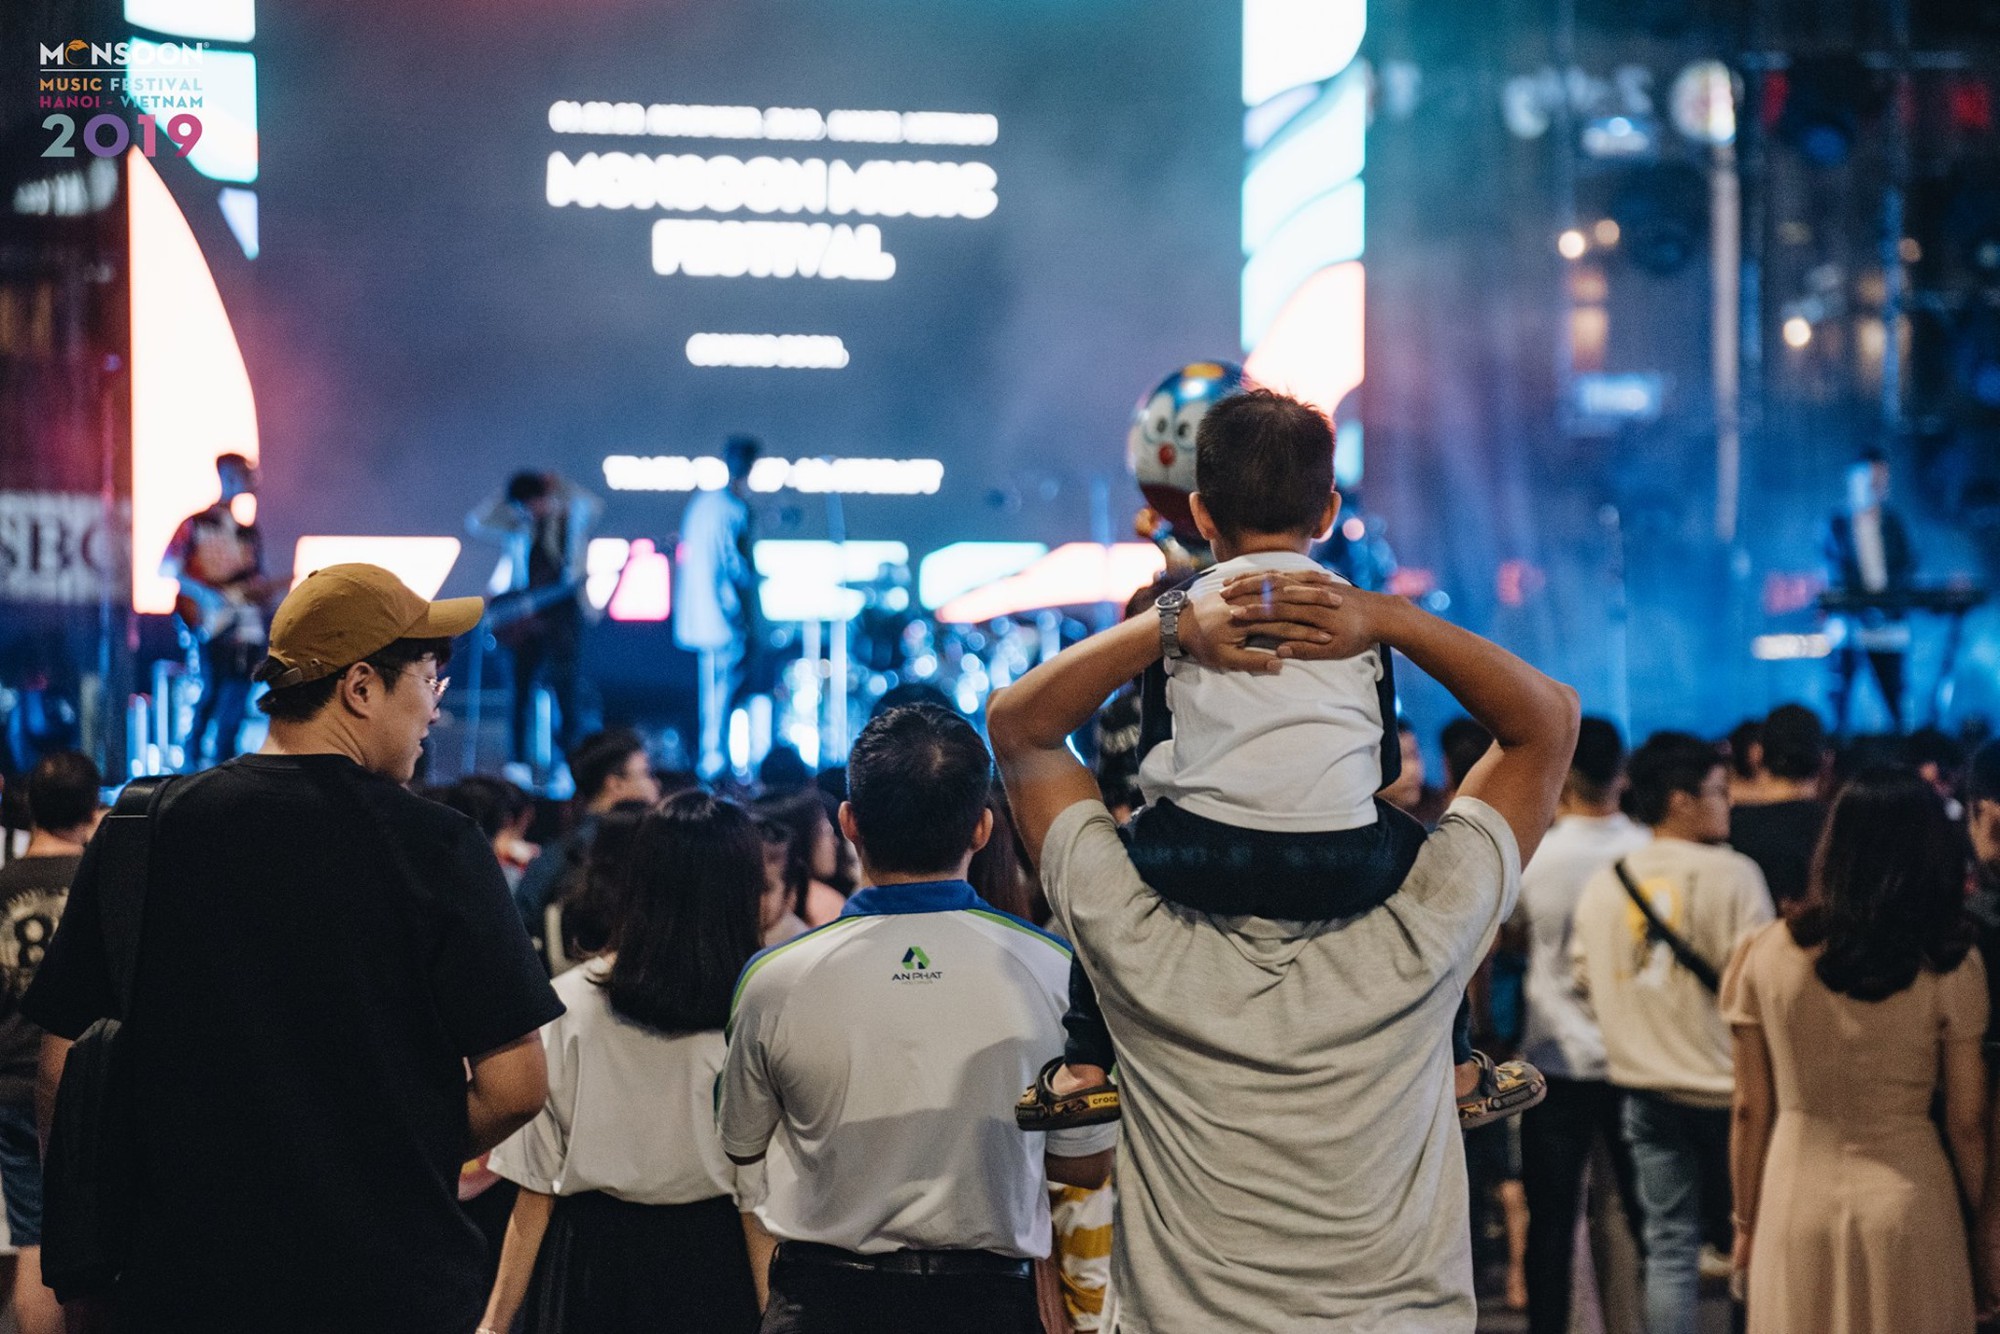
(1851, 1019)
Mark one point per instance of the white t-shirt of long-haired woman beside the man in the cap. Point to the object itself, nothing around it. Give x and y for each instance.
(631, 1111)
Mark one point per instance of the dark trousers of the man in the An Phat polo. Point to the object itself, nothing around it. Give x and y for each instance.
(817, 1299)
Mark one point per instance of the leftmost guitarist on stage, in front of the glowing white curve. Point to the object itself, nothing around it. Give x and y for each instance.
(219, 559)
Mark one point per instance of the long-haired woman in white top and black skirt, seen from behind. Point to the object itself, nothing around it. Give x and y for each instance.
(627, 1217)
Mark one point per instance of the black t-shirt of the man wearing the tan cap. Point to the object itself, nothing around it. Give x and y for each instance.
(321, 951)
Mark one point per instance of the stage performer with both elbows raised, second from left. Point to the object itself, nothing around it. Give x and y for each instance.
(545, 525)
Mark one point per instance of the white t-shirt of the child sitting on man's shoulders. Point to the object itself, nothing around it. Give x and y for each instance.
(1297, 751)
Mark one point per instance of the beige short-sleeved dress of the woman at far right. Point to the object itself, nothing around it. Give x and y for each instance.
(1859, 1227)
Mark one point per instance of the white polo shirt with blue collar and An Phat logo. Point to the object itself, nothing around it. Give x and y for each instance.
(879, 1059)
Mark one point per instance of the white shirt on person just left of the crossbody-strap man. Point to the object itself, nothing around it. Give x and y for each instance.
(1561, 1035)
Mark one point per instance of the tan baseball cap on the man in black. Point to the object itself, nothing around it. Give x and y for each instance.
(341, 615)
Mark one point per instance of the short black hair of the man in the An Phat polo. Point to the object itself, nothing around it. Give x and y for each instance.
(917, 783)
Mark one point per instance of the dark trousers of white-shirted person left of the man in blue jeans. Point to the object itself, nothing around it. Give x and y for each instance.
(1555, 1149)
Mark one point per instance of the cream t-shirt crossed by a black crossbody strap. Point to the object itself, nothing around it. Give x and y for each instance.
(1663, 1029)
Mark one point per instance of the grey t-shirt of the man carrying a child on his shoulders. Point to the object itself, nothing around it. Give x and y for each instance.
(1289, 1153)
